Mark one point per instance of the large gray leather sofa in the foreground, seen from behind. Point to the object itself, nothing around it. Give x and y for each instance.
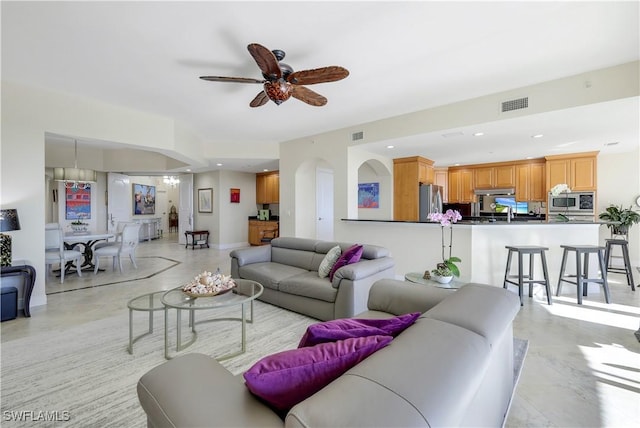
(452, 367)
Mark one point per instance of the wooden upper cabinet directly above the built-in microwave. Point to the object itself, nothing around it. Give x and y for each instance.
(577, 170)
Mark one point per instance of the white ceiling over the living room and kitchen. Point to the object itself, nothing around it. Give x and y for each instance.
(402, 57)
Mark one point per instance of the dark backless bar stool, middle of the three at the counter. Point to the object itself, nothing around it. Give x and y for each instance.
(582, 269)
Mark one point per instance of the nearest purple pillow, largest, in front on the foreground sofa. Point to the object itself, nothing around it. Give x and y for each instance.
(284, 379)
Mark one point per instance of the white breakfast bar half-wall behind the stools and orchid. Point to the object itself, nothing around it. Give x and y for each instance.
(417, 246)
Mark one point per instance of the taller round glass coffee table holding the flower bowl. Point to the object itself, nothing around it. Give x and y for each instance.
(243, 294)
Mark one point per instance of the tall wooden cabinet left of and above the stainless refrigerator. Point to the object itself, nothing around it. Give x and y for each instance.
(408, 173)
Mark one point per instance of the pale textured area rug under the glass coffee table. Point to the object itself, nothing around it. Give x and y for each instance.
(85, 374)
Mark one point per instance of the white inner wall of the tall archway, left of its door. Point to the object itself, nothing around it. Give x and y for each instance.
(305, 196)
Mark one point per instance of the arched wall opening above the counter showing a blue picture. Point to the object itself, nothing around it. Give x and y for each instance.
(373, 176)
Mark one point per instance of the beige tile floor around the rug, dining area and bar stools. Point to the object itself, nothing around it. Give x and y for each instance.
(582, 368)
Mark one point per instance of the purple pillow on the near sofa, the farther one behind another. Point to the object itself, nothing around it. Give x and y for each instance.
(340, 329)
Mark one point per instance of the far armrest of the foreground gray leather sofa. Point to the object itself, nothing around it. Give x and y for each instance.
(401, 297)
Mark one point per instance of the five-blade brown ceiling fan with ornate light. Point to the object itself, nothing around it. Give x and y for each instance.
(281, 82)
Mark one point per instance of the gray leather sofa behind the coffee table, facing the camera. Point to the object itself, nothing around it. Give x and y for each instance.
(288, 271)
